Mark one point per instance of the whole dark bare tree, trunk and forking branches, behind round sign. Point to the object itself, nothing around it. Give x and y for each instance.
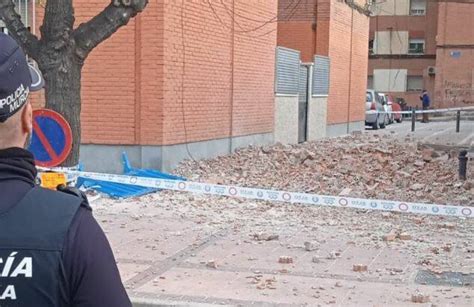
(61, 52)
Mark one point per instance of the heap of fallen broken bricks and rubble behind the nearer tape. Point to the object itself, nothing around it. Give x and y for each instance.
(368, 166)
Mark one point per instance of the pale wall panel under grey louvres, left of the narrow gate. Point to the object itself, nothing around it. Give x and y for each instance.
(286, 119)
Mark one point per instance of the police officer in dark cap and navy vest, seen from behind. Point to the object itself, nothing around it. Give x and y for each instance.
(52, 250)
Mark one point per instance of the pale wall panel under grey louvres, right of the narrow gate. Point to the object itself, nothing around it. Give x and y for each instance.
(317, 118)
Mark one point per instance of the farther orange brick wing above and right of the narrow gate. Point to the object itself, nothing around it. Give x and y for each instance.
(339, 30)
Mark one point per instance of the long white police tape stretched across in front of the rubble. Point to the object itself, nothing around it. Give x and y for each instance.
(281, 196)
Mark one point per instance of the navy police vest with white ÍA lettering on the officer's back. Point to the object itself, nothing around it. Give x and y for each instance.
(32, 236)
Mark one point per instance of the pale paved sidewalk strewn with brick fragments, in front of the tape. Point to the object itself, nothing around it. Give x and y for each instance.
(169, 259)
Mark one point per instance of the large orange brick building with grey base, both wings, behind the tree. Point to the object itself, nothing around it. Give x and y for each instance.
(196, 78)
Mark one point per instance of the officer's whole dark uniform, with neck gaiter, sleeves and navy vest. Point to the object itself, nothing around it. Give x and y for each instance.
(52, 250)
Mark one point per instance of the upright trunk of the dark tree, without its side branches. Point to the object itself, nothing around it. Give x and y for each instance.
(61, 69)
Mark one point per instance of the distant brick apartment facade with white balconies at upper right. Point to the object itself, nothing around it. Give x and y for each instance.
(422, 44)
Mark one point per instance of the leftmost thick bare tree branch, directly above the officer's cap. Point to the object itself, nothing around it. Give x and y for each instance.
(17, 29)
